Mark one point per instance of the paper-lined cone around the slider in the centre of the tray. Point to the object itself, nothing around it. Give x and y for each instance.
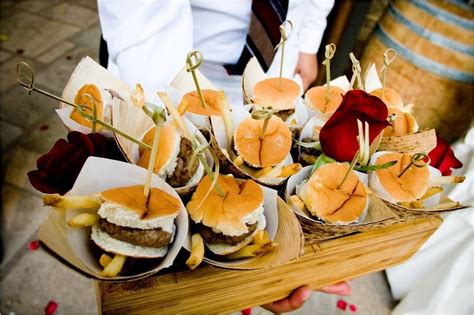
(220, 144)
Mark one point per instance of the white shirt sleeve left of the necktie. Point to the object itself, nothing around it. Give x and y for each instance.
(147, 39)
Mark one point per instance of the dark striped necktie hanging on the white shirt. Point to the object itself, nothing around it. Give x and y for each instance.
(263, 36)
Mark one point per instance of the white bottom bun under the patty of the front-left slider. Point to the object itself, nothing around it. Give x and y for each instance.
(112, 245)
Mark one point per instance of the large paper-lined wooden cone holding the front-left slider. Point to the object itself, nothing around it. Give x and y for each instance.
(75, 246)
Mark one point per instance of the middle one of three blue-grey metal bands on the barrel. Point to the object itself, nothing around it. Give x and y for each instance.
(433, 37)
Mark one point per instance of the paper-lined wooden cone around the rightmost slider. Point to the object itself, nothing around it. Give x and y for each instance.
(437, 203)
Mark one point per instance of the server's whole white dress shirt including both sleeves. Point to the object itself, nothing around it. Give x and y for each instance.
(148, 40)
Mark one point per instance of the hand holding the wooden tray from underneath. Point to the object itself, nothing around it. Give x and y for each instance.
(300, 295)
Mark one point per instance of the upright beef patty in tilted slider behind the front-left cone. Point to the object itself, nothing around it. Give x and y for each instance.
(184, 170)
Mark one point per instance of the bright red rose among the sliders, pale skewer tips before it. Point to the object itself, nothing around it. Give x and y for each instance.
(338, 136)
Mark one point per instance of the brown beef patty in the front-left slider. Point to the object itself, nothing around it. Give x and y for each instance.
(149, 238)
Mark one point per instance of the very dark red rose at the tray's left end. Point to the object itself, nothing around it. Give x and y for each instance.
(58, 169)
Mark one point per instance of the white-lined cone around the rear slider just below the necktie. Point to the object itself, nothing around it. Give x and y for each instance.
(253, 74)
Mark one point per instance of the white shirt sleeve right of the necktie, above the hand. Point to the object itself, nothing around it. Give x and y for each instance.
(312, 29)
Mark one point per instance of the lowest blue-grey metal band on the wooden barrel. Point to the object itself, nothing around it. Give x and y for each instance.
(421, 61)
